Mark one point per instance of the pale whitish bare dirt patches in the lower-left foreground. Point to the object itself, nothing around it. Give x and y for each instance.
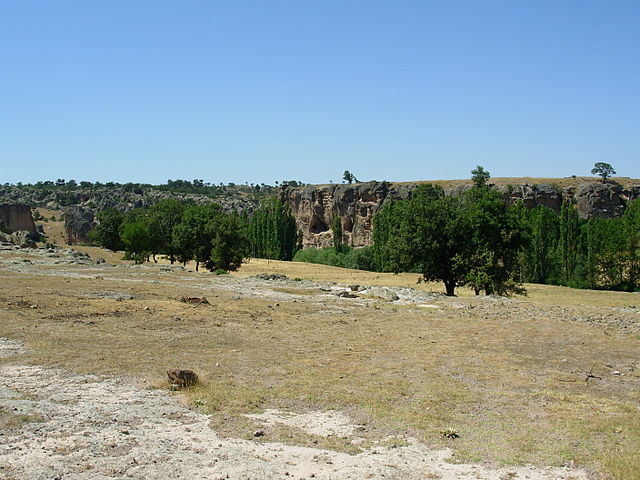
(106, 428)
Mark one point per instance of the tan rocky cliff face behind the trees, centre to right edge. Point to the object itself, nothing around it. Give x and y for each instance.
(315, 207)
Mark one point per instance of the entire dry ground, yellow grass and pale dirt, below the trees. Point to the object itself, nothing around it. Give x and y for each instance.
(307, 372)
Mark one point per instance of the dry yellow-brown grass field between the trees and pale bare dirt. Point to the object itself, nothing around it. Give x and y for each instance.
(550, 379)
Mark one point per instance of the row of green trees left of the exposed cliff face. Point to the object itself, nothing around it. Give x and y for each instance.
(206, 234)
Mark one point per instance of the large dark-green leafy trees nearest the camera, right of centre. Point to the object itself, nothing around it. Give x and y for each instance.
(470, 239)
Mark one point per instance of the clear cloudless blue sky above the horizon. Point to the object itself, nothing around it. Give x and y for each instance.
(258, 91)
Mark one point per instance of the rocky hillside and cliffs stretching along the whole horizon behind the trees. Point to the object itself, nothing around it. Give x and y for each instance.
(313, 206)
